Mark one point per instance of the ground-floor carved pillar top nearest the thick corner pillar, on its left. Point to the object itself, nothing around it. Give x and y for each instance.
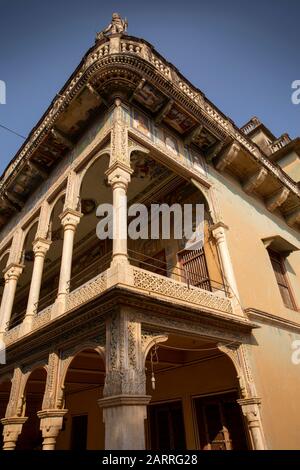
(51, 424)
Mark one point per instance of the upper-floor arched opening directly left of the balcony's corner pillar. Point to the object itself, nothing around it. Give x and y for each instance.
(91, 256)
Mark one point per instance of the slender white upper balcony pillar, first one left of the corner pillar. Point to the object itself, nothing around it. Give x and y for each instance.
(69, 219)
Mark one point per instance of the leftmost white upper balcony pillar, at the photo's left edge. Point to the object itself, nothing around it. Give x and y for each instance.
(11, 276)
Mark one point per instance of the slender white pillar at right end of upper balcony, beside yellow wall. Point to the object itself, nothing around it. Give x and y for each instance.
(218, 231)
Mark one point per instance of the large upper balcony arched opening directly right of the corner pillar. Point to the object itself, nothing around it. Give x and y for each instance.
(152, 183)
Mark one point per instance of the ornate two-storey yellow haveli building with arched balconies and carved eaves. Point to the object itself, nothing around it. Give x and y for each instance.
(91, 326)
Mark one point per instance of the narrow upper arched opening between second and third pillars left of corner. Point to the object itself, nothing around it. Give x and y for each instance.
(50, 278)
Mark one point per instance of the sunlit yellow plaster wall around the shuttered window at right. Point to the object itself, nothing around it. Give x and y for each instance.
(276, 377)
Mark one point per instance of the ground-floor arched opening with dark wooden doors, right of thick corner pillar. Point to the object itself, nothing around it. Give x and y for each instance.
(194, 404)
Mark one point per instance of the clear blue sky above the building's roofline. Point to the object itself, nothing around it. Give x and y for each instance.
(243, 55)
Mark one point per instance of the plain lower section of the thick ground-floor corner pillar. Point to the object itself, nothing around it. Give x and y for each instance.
(124, 417)
